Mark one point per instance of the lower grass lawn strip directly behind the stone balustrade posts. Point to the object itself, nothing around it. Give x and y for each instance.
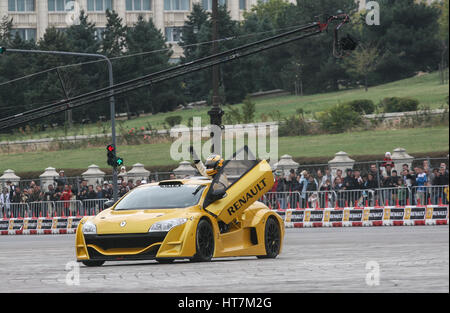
(359, 143)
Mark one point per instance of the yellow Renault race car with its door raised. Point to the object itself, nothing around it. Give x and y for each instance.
(185, 219)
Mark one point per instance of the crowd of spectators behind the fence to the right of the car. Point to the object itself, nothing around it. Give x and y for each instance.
(384, 182)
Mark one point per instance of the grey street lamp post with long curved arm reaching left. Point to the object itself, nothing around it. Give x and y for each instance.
(111, 99)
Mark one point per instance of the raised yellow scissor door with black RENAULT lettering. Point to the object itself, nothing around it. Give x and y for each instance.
(256, 180)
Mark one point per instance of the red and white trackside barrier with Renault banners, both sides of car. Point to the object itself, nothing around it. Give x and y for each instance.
(293, 218)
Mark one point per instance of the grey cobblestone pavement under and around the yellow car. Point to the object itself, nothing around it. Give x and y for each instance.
(410, 259)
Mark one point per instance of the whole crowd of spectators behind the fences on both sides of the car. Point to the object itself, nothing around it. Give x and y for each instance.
(319, 188)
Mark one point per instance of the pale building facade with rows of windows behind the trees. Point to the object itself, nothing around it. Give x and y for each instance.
(32, 17)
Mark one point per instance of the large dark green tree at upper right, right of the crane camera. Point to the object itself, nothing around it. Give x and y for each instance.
(408, 32)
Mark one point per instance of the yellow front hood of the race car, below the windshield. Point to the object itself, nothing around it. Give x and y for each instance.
(133, 221)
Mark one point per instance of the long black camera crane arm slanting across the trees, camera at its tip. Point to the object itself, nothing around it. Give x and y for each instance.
(300, 33)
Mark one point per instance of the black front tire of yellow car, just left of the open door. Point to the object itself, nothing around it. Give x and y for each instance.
(204, 242)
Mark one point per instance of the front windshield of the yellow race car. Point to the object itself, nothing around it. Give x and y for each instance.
(161, 197)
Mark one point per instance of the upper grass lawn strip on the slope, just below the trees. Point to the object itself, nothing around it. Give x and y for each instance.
(426, 89)
